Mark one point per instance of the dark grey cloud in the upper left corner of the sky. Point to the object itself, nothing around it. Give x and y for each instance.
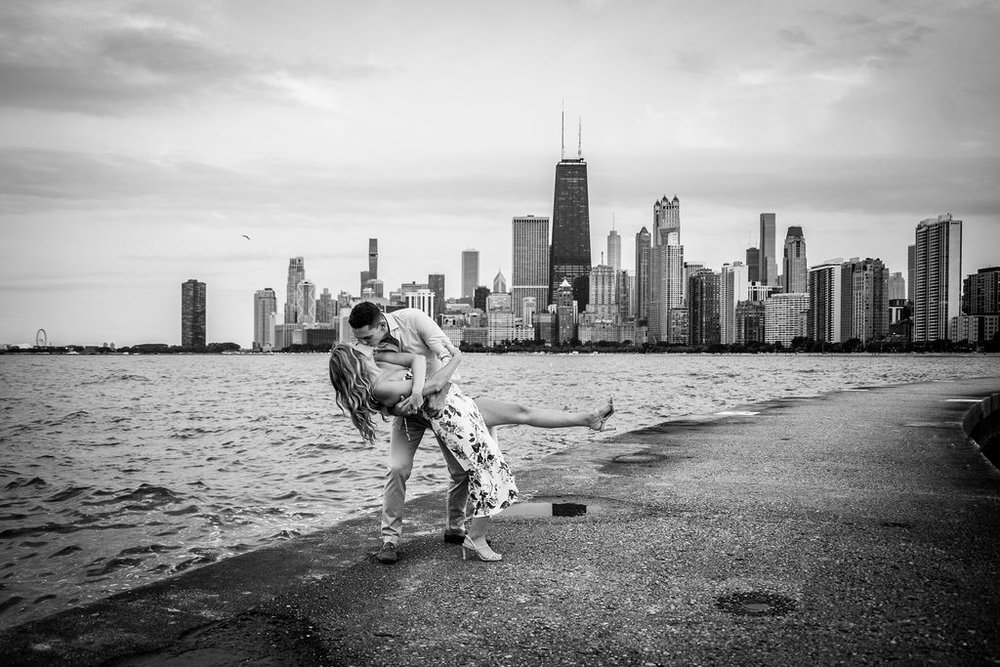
(90, 59)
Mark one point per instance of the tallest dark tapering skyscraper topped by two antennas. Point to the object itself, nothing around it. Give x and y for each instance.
(569, 254)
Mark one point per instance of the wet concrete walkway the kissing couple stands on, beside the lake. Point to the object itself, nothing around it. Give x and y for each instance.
(853, 528)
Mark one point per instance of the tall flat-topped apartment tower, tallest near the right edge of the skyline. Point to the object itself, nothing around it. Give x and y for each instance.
(938, 277)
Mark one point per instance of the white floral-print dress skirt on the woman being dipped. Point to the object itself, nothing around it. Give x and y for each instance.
(460, 426)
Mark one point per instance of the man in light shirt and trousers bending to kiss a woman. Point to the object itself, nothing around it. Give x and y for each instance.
(410, 330)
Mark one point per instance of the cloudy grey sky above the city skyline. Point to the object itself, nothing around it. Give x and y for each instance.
(139, 141)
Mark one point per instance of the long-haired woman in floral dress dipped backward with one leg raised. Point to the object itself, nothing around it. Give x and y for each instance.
(369, 381)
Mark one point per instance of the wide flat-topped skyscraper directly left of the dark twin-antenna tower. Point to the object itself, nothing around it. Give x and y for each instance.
(529, 276)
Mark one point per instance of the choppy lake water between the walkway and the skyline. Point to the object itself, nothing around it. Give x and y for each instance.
(120, 470)
